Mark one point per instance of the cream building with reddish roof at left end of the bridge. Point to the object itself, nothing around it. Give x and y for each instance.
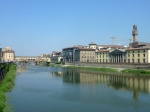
(8, 54)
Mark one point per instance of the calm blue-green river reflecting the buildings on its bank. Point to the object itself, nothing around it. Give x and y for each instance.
(54, 89)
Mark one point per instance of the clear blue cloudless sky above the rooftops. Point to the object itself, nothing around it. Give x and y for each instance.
(35, 27)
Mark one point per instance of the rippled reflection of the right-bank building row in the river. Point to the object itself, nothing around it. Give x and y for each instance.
(135, 84)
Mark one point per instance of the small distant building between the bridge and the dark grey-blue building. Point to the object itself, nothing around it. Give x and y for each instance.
(56, 57)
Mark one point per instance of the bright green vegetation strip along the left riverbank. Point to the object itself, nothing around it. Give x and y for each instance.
(6, 85)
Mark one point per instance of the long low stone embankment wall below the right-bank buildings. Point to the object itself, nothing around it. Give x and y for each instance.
(114, 65)
